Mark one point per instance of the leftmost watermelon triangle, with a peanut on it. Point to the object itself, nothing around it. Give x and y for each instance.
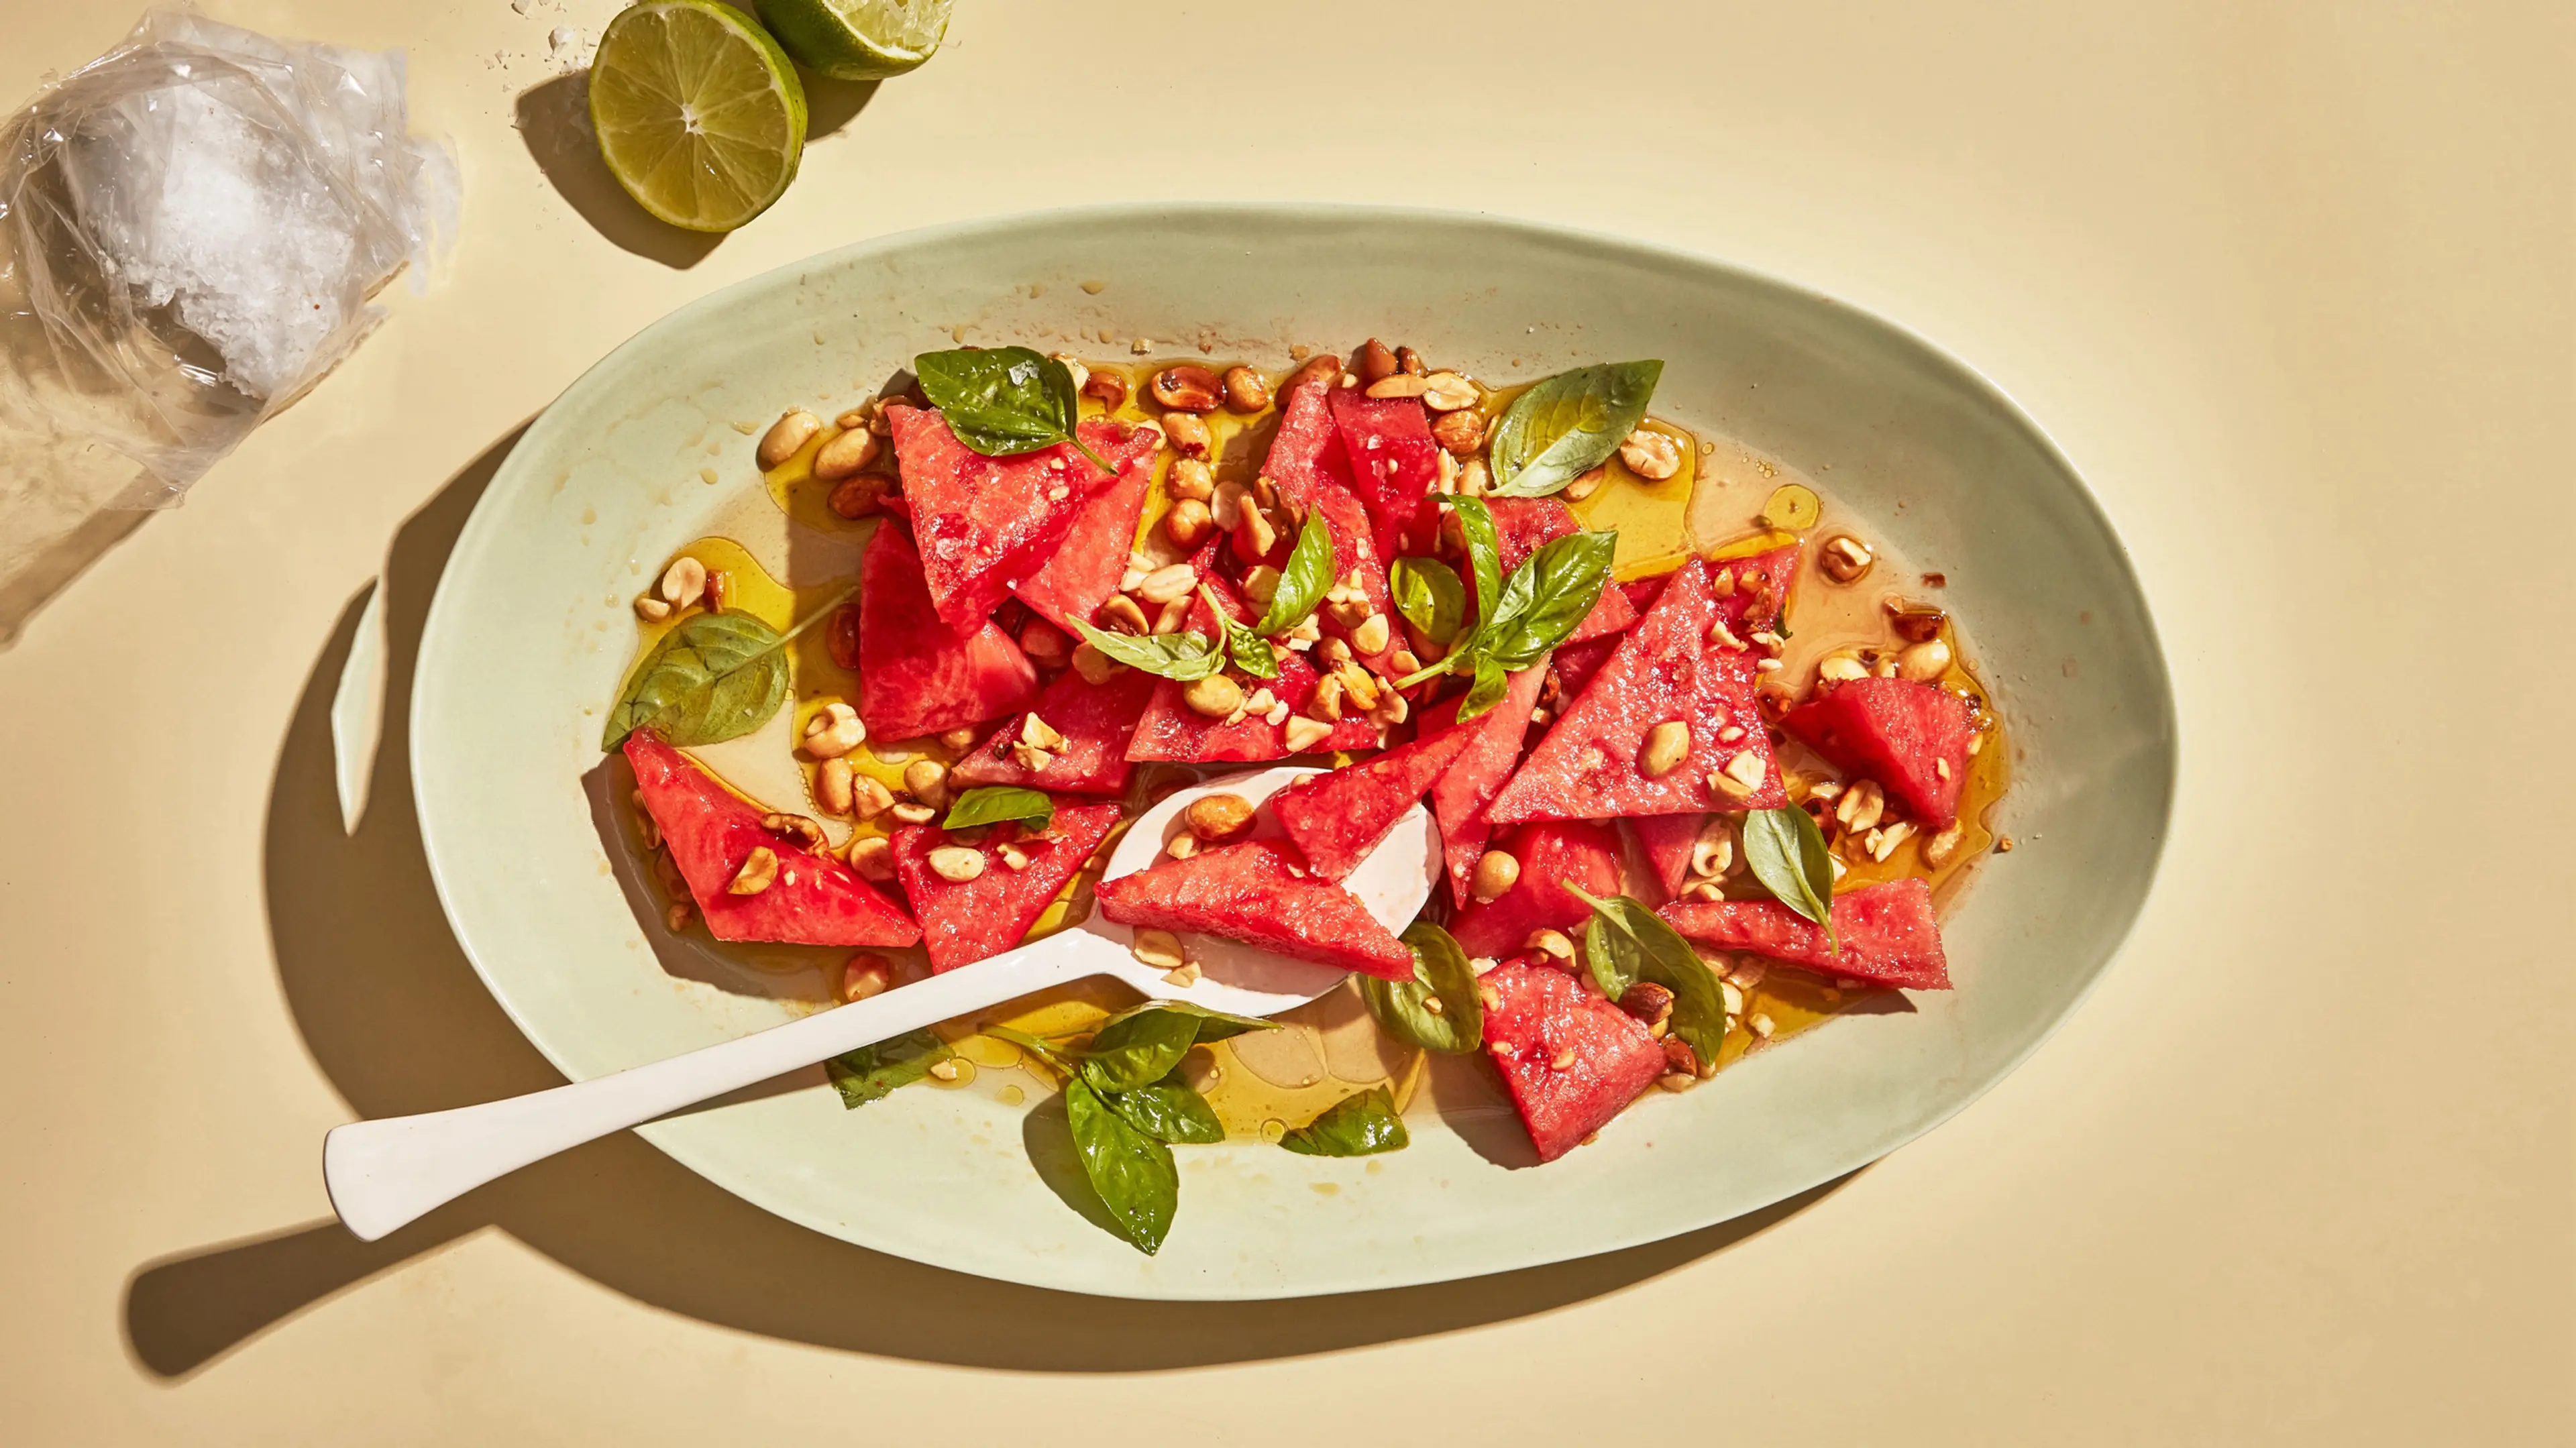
(712, 834)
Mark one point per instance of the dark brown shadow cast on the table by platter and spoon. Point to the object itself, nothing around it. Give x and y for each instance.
(398, 1022)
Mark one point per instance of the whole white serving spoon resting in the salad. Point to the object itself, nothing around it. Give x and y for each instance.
(388, 1174)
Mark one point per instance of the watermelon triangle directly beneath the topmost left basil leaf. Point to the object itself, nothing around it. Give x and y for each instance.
(985, 524)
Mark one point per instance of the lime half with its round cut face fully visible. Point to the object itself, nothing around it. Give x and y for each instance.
(699, 112)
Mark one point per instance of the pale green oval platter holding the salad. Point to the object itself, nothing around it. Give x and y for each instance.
(532, 630)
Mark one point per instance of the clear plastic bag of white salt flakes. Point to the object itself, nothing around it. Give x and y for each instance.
(189, 238)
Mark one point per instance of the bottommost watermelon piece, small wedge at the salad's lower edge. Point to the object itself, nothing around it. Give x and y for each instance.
(1570, 1058)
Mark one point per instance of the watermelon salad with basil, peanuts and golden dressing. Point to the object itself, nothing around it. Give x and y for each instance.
(1707, 759)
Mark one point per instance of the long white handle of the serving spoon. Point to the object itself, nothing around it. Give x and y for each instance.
(388, 1174)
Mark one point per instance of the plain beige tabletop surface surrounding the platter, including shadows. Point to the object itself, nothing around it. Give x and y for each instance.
(2289, 282)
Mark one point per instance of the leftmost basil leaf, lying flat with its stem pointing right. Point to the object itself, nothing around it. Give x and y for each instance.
(712, 679)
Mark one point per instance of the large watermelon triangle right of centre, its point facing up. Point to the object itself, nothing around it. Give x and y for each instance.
(1665, 669)
